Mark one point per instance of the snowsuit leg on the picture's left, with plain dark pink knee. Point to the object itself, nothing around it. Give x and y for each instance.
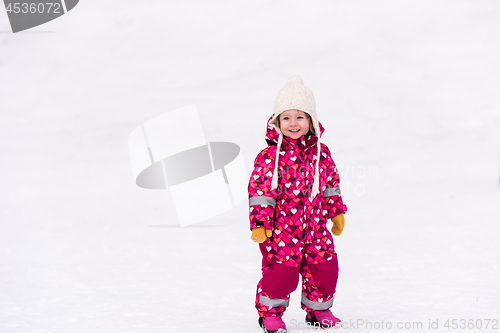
(273, 290)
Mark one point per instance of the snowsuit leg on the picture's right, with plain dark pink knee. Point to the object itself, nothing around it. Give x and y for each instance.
(319, 277)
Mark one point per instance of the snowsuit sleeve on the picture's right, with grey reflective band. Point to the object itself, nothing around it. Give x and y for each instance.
(332, 198)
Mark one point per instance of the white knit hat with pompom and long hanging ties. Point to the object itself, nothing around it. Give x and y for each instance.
(294, 95)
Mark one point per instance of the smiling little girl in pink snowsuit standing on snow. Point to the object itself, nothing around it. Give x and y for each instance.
(293, 191)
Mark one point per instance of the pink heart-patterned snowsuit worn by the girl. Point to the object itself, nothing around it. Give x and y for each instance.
(300, 243)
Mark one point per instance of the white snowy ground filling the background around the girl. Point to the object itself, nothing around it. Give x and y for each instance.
(408, 92)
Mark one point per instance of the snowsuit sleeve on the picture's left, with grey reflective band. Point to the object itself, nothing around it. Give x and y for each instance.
(262, 201)
